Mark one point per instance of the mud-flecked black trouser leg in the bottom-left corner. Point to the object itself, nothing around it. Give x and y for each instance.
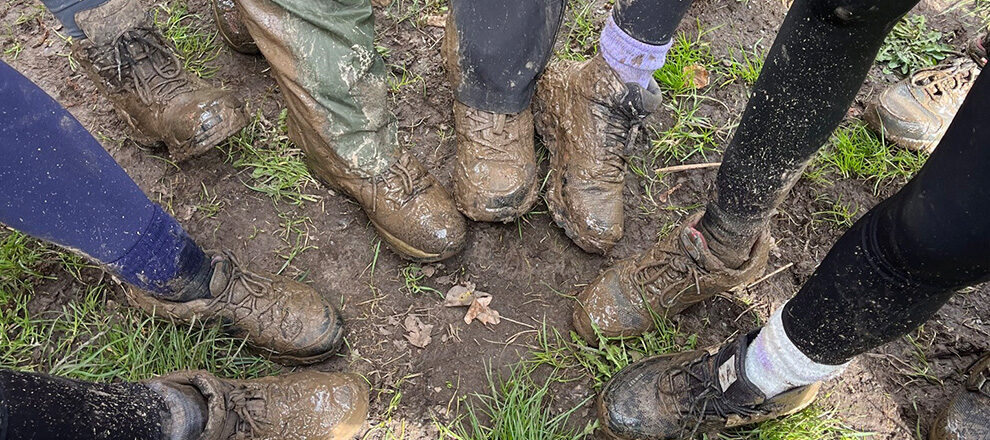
(38, 406)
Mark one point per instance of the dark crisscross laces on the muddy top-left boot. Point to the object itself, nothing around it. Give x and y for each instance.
(140, 60)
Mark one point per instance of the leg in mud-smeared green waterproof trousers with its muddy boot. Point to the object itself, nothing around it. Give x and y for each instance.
(323, 56)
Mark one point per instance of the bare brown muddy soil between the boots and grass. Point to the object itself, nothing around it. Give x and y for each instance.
(528, 266)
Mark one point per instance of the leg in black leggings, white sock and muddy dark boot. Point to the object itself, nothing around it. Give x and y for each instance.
(885, 276)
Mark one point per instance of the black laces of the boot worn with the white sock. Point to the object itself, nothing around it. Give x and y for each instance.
(706, 396)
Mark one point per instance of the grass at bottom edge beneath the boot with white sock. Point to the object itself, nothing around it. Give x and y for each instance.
(814, 422)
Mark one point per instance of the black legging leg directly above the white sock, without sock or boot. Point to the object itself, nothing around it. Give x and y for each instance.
(902, 261)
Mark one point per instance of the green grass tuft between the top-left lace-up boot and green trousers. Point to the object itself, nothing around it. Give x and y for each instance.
(194, 38)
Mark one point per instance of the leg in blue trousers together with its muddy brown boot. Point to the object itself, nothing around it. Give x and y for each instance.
(63, 187)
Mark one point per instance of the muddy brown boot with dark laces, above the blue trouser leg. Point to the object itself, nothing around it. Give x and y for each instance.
(137, 69)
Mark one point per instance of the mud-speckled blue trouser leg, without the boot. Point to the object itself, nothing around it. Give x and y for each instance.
(60, 185)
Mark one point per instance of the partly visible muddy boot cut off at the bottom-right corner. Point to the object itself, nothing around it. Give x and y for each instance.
(967, 417)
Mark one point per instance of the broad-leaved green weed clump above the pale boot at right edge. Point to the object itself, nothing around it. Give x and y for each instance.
(912, 45)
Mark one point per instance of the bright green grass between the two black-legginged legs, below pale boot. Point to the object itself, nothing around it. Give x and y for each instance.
(855, 151)
